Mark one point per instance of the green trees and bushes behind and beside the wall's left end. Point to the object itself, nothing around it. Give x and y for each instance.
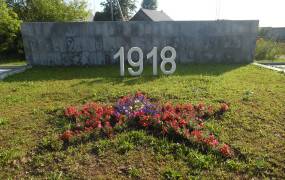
(35, 11)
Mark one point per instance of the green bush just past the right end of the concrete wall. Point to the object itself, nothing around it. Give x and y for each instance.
(266, 50)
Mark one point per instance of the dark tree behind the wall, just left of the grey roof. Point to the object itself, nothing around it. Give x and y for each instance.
(127, 6)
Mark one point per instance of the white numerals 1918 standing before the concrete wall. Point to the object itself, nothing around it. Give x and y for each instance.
(139, 64)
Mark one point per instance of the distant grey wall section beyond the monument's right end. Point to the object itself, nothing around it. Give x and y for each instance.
(277, 34)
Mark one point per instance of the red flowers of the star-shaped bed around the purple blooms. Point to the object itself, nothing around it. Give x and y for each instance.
(180, 120)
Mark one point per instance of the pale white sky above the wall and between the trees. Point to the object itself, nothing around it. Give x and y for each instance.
(269, 12)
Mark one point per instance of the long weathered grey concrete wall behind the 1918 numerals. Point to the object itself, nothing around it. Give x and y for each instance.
(95, 43)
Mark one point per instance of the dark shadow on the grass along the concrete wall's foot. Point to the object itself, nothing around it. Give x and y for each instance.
(111, 73)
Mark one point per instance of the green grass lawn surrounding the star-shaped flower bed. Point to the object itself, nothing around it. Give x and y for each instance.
(31, 106)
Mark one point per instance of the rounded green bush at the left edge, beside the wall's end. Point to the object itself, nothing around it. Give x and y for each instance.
(9, 27)
